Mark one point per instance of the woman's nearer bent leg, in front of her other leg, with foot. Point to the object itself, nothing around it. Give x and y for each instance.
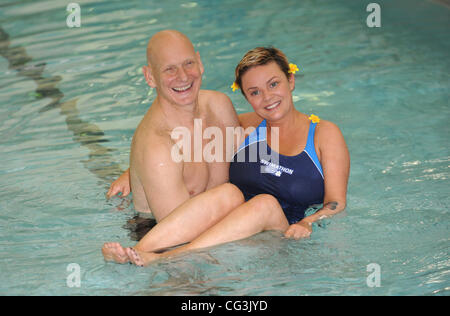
(261, 213)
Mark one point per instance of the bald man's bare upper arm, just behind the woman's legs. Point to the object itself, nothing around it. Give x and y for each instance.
(162, 180)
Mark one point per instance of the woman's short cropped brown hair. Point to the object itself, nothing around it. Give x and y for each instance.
(260, 56)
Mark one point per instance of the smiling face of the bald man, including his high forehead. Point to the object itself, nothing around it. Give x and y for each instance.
(177, 72)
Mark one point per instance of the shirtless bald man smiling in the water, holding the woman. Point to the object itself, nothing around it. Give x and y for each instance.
(159, 184)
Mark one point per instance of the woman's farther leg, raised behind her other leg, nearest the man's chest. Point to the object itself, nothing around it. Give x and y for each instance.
(185, 223)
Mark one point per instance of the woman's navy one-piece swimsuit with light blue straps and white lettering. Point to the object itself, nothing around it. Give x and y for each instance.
(296, 181)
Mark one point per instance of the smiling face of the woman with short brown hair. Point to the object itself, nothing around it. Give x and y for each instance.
(268, 91)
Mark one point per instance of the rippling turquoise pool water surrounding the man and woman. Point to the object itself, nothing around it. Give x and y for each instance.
(70, 99)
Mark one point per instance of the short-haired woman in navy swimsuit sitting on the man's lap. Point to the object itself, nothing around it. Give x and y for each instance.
(290, 162)
